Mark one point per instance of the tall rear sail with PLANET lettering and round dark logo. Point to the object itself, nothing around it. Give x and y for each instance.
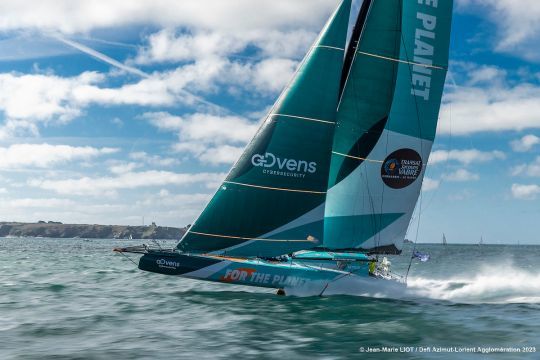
(386, 123)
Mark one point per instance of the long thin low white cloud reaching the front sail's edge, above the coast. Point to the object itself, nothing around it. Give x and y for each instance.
(99, 186)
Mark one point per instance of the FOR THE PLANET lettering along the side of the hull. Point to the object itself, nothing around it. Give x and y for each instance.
(251, 276)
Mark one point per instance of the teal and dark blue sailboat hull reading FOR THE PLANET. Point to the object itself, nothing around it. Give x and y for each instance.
(290, 274)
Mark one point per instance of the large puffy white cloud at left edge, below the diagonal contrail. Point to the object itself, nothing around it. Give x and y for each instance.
(29, 99)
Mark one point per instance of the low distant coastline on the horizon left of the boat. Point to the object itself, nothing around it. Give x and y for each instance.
(53, 229)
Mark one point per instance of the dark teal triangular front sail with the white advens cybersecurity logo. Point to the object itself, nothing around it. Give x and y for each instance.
(272, 201)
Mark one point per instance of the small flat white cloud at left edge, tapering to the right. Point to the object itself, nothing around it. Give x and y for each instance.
(45, 155)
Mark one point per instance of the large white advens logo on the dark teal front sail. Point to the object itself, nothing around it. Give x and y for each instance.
(274, 165)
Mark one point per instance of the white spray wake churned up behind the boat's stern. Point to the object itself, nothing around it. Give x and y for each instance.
(501, 284)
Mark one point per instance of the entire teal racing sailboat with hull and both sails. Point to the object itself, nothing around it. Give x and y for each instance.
(330, 181)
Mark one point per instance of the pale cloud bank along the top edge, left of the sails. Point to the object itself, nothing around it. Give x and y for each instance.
(238, 15)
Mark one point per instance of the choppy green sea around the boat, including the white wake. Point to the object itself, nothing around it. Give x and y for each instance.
(76, 299)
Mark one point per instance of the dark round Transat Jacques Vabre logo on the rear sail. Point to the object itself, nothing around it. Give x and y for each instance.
(401, 168)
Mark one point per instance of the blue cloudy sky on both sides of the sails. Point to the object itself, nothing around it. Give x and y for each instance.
(131, 112)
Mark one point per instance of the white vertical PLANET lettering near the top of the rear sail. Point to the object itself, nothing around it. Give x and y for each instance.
(424, 50)
